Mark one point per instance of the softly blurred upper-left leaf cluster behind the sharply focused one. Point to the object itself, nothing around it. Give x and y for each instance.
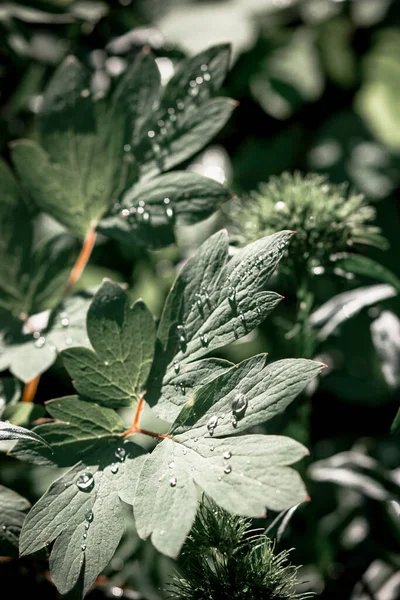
(95, 167)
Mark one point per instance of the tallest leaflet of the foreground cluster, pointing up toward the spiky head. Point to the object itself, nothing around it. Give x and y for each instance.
(212, 303)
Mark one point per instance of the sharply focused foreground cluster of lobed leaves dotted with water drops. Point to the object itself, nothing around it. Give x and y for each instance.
(204, 402)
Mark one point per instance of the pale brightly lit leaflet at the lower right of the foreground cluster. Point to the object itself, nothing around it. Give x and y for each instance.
(243, 475)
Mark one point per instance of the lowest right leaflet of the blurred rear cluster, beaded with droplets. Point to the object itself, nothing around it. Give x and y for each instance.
(154, 205)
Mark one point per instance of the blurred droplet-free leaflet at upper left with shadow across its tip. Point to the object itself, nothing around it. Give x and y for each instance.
(74, 172)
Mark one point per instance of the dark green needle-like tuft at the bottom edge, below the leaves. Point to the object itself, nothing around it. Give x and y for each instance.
(223, 558)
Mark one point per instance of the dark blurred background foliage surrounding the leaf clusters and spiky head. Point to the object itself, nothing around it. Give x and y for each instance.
(318, 83)
